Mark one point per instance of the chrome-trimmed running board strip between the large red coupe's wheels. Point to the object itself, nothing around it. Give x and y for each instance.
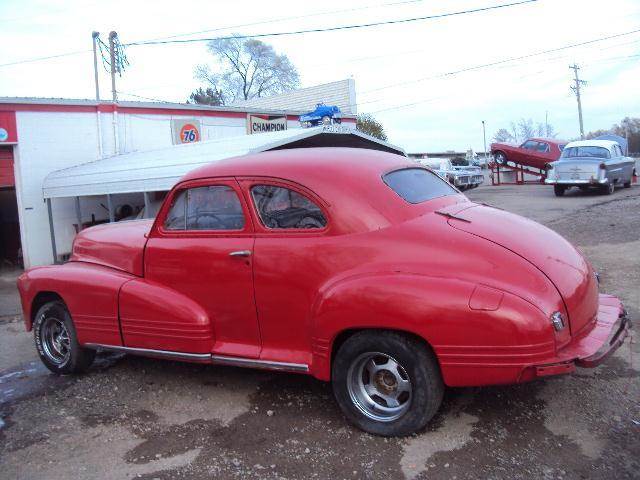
(205, 358)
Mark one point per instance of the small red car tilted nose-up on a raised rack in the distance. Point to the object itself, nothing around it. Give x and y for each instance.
(535, 152)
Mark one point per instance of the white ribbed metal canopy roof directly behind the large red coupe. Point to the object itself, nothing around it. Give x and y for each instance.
(158, 170)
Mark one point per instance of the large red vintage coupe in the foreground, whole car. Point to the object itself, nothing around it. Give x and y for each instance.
(355, 266)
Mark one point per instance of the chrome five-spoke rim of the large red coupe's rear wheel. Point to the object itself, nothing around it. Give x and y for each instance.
(379, 386)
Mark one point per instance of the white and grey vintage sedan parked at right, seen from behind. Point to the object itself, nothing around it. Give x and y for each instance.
(591, 164)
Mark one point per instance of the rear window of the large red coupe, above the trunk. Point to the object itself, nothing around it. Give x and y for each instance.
(417, 185)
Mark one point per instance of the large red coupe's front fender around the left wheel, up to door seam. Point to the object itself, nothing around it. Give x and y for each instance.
(89, 291)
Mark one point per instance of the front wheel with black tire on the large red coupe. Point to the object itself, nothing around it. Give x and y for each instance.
(64, 356)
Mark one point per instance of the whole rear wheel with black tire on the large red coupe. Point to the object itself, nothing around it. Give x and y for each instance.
(412, 360)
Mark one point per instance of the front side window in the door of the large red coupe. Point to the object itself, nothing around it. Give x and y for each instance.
(215, 207)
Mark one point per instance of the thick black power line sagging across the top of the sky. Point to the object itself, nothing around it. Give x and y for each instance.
(333, 29)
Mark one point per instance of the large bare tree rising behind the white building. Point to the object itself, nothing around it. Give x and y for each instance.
(248, 68)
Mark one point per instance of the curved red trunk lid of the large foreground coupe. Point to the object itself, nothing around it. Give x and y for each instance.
(554, 256)
